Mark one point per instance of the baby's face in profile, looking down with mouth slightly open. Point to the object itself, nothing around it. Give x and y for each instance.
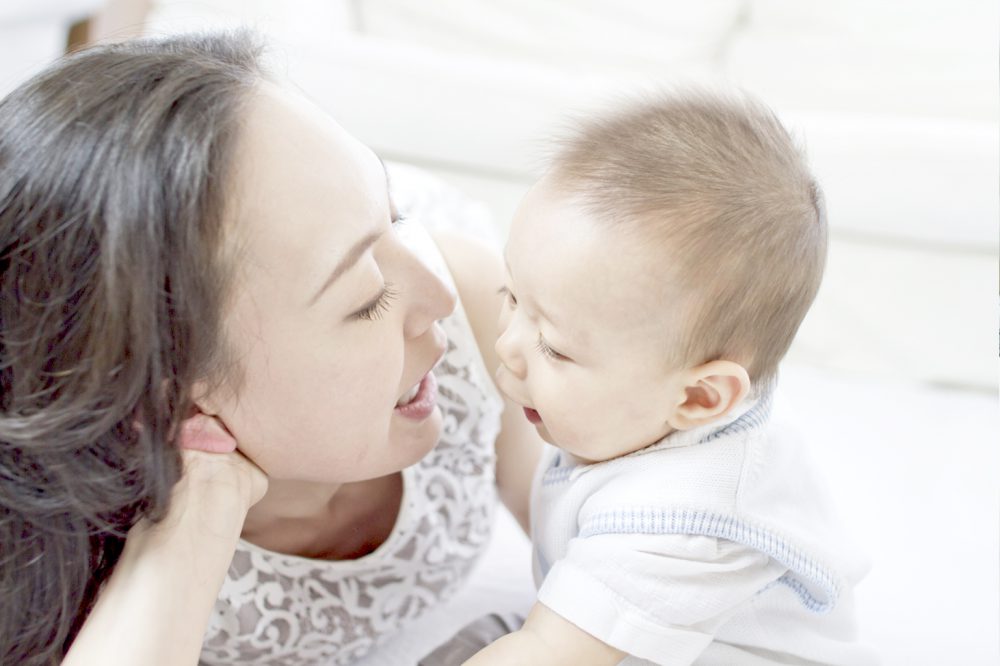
(586, 331)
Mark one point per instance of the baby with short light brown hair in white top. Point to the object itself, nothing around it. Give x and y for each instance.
(656, 275)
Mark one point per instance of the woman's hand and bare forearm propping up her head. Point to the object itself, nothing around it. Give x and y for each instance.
(154, 608)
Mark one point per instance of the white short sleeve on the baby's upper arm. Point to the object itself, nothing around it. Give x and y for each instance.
(657, 597)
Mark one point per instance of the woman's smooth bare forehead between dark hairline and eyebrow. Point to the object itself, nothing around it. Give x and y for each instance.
(304, 189)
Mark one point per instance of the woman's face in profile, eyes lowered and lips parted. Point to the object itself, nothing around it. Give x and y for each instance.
(333, 321)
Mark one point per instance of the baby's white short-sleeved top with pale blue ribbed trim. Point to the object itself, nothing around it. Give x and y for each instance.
(713, 546)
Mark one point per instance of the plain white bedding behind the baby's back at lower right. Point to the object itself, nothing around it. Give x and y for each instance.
(915, 470)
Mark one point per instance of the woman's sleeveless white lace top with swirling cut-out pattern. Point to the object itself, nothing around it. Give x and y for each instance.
(283, 609)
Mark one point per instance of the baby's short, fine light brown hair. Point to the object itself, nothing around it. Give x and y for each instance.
(720, 185)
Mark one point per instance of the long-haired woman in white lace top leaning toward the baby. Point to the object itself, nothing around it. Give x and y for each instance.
(195, 258)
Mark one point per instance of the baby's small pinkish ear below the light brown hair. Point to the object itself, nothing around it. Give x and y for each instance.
(711, 391)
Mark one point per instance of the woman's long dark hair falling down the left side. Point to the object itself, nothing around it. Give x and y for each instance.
(114, 168)
